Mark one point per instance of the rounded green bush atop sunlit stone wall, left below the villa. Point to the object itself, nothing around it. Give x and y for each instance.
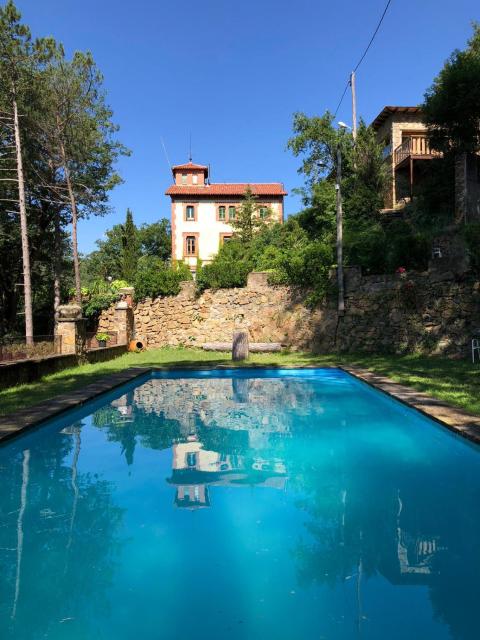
(155, 278)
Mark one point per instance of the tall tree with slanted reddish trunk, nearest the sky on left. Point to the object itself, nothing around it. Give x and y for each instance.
(81, 138)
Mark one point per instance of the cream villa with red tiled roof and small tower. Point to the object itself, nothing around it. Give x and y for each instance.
(202, 212)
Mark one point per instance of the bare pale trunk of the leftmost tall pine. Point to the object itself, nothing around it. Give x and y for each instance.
(27, 284)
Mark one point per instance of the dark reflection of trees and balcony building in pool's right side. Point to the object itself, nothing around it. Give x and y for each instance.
(362, 525)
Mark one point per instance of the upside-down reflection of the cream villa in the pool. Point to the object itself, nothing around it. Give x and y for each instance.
(195, 469)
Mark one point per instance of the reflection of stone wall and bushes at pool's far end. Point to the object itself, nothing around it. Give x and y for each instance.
(222, 413)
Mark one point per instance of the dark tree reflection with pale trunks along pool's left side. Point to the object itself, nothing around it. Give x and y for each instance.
(58, 544)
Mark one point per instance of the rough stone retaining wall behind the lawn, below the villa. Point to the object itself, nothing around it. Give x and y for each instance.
(435, 312)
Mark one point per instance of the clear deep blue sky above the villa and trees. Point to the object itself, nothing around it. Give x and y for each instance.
(233, 73)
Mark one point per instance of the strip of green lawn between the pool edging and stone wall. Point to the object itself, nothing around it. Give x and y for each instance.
(458, 383)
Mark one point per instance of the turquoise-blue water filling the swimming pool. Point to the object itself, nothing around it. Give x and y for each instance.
(241, 505)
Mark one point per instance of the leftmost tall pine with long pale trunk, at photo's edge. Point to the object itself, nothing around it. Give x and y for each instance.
(16, 66)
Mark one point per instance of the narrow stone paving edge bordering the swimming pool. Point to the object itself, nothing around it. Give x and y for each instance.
(457, 420)
